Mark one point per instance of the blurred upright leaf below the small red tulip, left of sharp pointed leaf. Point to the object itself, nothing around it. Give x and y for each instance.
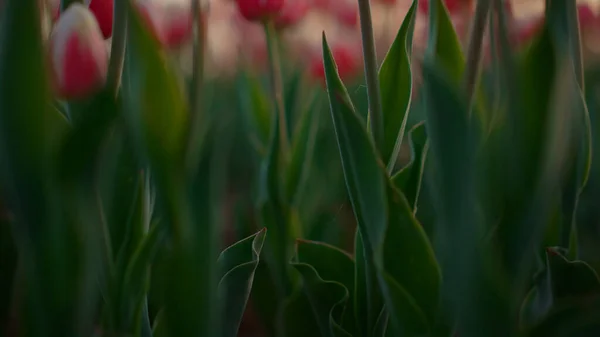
(303, 144)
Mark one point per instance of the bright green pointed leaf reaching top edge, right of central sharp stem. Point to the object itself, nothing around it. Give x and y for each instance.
(395, 81)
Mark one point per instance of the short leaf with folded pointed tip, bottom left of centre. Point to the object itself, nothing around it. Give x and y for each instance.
(237, 265)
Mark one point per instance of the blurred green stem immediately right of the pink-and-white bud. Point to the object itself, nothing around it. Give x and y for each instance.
(117, 52)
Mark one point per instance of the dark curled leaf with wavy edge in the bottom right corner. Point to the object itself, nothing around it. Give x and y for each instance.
(561, 282)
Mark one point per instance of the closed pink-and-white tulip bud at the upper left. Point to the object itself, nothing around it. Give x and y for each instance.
(78, 54)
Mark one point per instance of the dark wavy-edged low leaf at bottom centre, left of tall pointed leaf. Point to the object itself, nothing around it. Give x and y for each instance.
(328, 300)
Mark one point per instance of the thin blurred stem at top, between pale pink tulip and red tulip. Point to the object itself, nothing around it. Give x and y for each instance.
(193, 147)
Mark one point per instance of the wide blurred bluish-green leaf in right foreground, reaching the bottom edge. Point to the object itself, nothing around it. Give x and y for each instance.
(471, 275)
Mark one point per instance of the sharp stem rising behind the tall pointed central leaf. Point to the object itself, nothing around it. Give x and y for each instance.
(371, 73)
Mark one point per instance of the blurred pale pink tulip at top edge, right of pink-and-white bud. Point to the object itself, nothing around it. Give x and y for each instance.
(171, 24)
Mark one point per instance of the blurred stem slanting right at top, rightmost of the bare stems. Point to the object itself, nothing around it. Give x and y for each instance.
(474, 50)
